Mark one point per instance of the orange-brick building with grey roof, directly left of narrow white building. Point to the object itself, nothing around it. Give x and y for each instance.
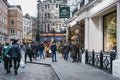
(15, 22)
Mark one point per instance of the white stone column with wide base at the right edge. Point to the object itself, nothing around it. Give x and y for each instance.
(116, 63)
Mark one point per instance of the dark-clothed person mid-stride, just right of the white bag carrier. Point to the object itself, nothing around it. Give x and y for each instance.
(28, 52)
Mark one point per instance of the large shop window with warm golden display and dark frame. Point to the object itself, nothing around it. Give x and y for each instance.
(110, 31)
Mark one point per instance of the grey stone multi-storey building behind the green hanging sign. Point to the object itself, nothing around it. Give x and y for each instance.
(48, 15)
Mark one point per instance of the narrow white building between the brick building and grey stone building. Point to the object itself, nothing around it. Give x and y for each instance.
(27, 28)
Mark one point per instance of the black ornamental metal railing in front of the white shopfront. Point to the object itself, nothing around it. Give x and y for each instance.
(102, 60)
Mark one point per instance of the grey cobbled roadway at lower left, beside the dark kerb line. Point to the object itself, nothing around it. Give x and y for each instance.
(30, 72)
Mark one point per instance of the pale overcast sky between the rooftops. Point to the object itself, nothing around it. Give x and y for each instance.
(28, 6)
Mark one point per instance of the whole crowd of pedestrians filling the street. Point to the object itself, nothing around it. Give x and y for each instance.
(11, 53)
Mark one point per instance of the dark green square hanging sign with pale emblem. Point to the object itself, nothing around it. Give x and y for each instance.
(64, 12)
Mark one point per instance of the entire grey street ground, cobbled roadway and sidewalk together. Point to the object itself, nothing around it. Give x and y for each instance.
(65, 70)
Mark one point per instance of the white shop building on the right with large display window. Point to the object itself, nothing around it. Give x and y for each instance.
(101, 20)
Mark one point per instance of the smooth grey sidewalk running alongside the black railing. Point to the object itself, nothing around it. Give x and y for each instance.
(66, 70)
